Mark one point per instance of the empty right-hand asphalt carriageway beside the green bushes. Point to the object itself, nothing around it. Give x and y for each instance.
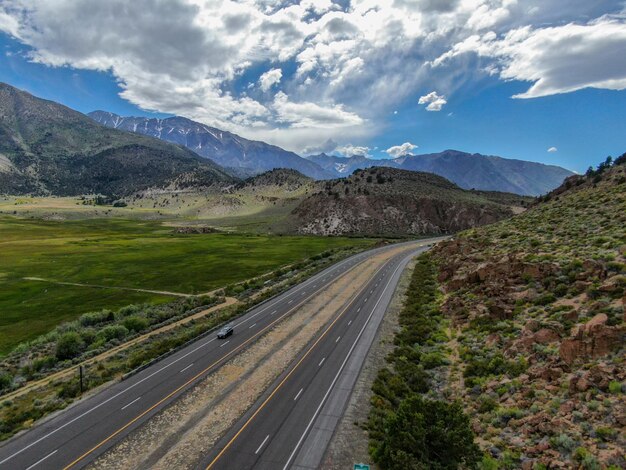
(277, 432)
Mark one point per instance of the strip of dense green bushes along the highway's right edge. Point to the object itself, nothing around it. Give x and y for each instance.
(410, 425)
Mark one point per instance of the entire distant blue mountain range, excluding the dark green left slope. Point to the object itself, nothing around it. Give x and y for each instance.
(244, 157)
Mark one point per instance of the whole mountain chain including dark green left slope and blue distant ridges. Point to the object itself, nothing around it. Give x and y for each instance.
(47, 148)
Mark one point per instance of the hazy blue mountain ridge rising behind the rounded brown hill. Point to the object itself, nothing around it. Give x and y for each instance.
(469, 171)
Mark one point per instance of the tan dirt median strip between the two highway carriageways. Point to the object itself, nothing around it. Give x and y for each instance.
(180, 435)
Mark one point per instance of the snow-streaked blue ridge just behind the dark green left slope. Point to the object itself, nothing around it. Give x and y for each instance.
(224, 148)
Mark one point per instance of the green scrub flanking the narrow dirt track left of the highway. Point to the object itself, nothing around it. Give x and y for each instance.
(95, 333)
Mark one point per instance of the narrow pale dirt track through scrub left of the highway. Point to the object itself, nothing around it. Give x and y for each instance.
(72, 370)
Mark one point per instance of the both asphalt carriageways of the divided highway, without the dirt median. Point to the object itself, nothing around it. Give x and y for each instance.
(78, 435)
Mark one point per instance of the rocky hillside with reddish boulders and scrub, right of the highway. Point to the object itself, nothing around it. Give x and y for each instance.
(536, 347)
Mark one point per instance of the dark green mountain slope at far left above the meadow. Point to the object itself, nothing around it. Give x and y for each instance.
(47, 148)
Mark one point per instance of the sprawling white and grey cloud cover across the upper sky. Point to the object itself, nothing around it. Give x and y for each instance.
(353, 62)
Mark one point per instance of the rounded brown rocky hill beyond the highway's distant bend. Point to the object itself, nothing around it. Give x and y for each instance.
(387, 201)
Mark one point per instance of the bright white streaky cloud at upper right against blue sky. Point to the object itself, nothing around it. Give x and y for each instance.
(558, 59)
